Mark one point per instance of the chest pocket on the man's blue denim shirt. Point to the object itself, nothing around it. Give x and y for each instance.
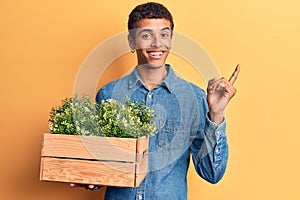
(171, 134)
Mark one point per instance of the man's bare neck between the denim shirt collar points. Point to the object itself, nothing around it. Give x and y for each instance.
(152, 76)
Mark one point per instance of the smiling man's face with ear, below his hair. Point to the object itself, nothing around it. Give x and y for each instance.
(152, 42)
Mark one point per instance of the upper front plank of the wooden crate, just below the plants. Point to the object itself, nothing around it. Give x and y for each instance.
(91, 147)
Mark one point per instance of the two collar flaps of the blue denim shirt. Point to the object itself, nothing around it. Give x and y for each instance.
(169, 82)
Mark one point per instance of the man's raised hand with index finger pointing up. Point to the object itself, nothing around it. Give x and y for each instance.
(219, 93)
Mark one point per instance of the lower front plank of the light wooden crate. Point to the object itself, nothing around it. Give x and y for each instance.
(88, 172)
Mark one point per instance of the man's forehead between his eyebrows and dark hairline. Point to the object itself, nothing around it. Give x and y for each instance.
(156, 23)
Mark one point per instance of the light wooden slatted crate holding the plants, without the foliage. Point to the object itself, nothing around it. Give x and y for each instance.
(94, 160)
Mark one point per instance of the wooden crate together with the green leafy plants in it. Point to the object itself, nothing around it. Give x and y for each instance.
(104, 144)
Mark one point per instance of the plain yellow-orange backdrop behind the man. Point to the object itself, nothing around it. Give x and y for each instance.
(43, 43)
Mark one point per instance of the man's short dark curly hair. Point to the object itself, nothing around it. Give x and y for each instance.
(150, 10)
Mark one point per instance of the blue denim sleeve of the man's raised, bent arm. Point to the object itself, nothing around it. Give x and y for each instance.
(209, 147)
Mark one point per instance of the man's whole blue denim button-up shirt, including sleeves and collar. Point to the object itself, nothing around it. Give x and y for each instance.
(184, 129)
